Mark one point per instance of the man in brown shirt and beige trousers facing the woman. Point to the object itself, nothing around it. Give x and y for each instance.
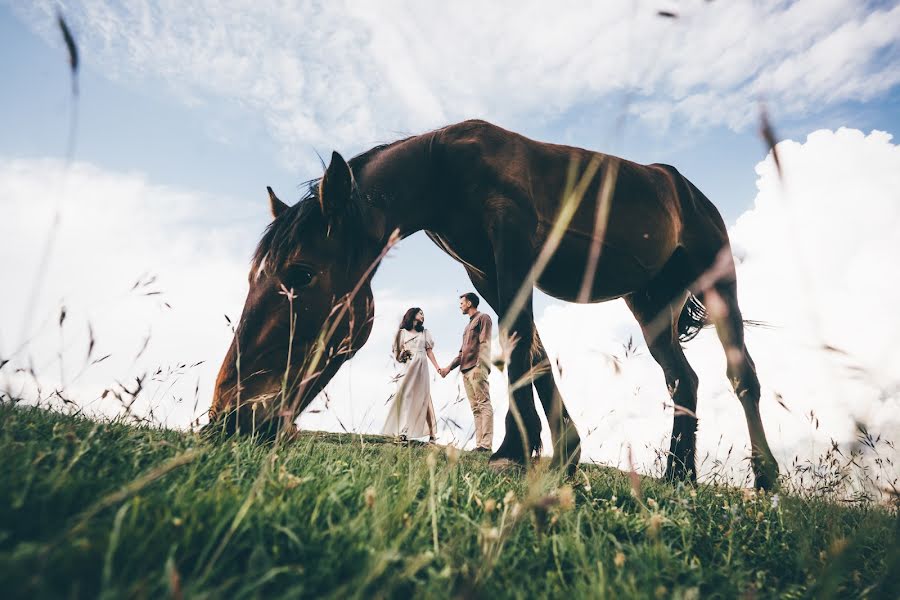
(474, 360)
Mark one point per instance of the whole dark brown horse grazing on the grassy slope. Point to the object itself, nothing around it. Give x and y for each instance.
(490, 198)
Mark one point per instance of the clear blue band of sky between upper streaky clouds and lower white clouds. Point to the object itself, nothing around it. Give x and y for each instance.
(220, 148)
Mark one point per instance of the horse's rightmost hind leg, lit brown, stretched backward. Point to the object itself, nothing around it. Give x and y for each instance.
(721, 302)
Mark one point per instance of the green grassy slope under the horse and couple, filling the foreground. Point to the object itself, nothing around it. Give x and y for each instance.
(107, 509)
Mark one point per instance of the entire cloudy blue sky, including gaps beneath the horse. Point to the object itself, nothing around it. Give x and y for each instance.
(185, 114)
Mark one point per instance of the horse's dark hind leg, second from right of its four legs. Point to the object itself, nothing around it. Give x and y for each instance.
(657, 311)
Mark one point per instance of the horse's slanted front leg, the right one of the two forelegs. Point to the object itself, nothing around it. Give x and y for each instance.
(566, 441)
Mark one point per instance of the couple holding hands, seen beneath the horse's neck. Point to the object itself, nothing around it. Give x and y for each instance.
(412, 413)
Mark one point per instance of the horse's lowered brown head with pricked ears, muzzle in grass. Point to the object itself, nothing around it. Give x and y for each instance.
(309, 307)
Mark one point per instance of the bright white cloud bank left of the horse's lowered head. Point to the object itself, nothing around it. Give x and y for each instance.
(114, 230)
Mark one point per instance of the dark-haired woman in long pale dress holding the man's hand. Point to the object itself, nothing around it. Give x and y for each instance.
(412, 414)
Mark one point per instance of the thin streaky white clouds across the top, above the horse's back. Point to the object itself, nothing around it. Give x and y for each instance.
(345, 75)
